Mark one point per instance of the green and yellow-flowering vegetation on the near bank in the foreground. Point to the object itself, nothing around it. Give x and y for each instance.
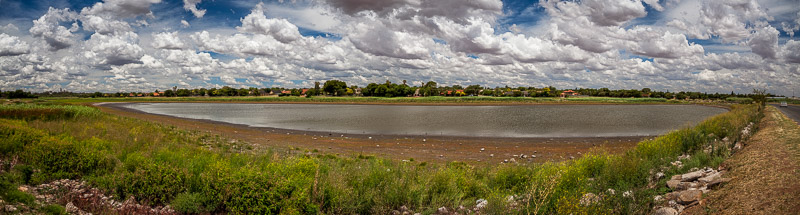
(197, 172)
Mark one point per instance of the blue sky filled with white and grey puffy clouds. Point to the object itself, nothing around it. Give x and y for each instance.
(144, 45)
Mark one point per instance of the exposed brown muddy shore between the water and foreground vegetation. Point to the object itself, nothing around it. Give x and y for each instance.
(421, 148)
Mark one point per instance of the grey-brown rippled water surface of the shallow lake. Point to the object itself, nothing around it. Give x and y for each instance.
(484, 121)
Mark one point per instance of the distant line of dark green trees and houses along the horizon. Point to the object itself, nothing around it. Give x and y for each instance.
(389, 89)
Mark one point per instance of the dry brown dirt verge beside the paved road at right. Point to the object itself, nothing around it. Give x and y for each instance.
(766, 173)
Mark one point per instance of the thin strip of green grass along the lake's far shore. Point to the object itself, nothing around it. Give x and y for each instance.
(379, 100)
